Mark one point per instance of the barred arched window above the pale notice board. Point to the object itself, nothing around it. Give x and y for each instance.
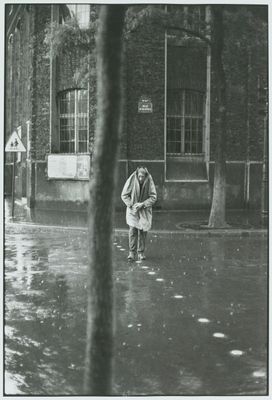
(73, 121)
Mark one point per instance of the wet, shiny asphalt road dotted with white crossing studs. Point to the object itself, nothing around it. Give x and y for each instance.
(190, 320)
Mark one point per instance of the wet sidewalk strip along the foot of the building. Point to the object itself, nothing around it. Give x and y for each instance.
(164, 221)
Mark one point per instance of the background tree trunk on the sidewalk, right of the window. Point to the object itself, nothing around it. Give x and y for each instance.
(218, 210)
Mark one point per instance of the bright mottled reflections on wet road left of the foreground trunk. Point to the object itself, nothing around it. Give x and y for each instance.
(43, 344)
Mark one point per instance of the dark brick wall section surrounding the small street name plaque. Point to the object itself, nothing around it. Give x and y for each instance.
(145, 76)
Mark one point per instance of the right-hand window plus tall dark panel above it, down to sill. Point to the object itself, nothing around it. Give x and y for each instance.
(186, 90)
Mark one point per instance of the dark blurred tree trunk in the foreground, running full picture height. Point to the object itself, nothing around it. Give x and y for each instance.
(99, 346)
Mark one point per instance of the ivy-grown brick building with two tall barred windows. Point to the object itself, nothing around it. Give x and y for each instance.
(169, 115)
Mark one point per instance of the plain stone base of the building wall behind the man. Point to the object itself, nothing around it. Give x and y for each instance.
(43, 193)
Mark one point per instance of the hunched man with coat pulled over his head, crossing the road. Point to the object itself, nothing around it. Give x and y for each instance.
(139, 194)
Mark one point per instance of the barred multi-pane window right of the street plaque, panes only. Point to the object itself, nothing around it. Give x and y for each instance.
(185, 120)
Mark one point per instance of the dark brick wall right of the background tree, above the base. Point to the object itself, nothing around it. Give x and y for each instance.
(244, 57)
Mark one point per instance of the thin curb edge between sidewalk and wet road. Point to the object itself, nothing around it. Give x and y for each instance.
(124, 231)
